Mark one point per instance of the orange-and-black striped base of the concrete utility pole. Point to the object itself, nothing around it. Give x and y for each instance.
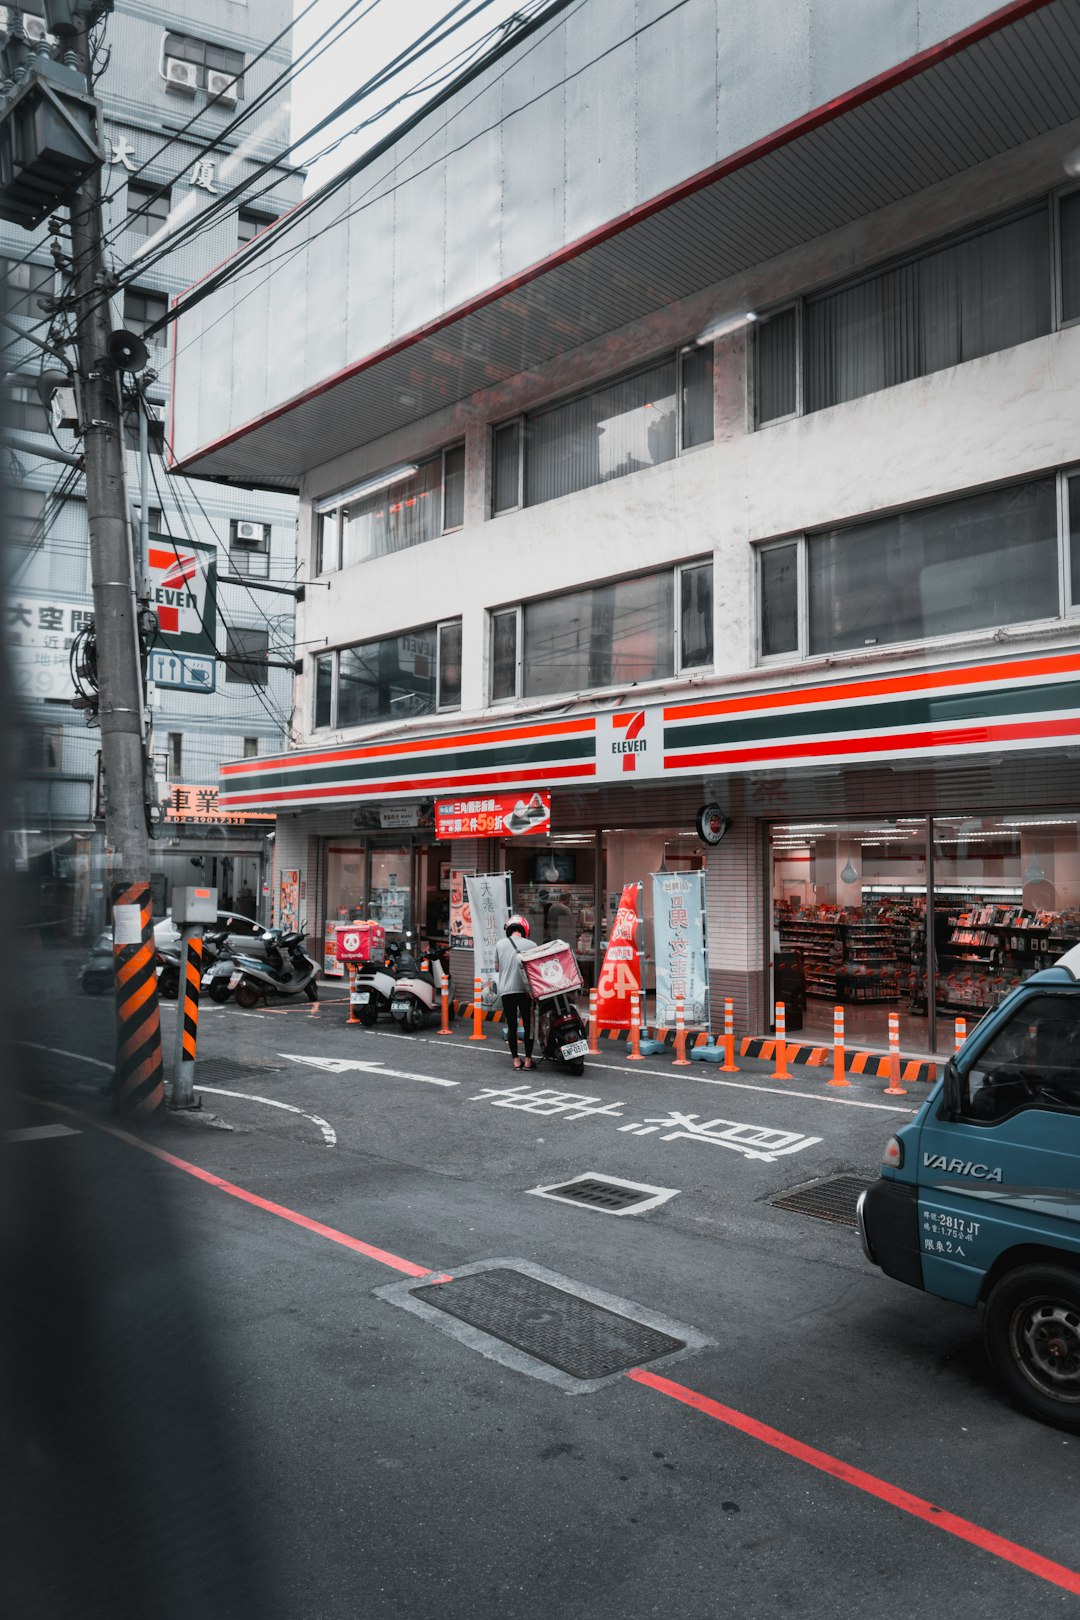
(140, 1078)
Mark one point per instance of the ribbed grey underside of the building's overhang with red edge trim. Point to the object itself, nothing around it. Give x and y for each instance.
(1006, 82)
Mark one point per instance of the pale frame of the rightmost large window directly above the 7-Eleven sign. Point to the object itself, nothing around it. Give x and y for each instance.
(801, 539)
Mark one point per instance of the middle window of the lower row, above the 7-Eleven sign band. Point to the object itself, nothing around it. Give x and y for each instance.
(621, 633)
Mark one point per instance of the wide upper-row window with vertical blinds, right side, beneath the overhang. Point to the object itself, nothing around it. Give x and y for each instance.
(969, 297)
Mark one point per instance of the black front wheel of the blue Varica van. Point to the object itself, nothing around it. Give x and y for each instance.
(1032, 1334)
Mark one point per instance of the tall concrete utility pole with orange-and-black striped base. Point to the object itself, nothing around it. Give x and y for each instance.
(140, 1086)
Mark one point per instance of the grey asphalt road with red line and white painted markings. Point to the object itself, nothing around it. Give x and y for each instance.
(836, 1447)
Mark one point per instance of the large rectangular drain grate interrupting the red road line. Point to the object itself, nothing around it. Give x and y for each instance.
(550, 1324)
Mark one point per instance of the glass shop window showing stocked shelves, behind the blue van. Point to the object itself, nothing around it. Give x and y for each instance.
(851, 918)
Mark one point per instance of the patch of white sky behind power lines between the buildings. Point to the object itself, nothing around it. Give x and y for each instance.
(380, 32)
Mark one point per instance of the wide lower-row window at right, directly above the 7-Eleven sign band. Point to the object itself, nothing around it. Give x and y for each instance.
(967, 565)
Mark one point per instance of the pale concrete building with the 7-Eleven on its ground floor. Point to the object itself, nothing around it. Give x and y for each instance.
(687, 417)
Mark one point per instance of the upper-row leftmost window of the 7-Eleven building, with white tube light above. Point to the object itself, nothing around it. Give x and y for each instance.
(394, 518)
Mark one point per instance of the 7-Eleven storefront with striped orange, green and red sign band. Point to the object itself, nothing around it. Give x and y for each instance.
(903, 842)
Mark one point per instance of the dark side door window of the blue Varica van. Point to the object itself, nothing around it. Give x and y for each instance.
(1032, 1062)
